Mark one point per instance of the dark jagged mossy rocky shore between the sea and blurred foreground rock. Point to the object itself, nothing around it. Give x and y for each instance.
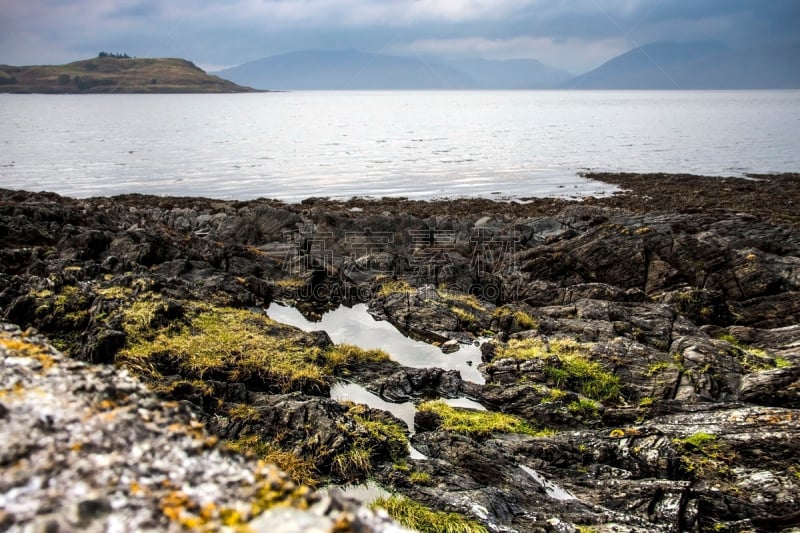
(640, 353)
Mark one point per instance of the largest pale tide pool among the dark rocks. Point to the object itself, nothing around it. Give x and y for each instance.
(354, 325)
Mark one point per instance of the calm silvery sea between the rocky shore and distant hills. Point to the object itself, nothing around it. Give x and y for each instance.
(416, 144)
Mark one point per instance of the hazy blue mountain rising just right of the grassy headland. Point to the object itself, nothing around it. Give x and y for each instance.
(347, 69)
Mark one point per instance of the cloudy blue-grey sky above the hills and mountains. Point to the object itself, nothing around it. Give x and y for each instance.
(575, 35)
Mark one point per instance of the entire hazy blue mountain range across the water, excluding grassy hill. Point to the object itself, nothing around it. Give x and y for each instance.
(658, 65)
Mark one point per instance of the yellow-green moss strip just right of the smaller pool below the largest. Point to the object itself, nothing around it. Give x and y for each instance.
(477, 423)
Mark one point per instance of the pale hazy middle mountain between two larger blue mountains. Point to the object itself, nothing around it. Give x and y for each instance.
(511, 74)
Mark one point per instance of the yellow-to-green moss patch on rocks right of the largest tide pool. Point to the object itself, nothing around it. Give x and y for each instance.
(573, 370)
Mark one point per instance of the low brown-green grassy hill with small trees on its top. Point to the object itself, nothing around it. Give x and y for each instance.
(115, 75)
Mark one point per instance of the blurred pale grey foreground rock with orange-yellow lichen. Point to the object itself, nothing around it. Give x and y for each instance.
(89, 448)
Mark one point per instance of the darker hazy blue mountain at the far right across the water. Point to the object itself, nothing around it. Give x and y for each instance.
(695, 65)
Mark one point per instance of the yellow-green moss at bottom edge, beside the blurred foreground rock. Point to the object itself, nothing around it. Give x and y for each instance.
(416, 516)
